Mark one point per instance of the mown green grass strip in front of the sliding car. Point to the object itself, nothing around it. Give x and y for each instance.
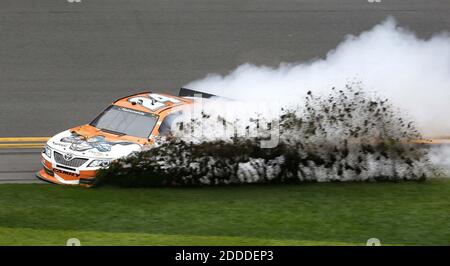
(406, 213)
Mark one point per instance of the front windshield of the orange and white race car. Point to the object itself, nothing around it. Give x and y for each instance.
(123, 121)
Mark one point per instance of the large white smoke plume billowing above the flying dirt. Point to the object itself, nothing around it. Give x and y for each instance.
(388, 60)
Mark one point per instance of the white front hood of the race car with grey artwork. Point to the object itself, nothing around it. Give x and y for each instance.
(98, 146)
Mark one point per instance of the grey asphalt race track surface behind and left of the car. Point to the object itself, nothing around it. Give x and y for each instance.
(61, 63)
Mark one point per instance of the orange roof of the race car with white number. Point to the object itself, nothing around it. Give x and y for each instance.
(150, 102)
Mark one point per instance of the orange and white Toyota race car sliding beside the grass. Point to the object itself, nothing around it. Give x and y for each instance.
(129, 124)
